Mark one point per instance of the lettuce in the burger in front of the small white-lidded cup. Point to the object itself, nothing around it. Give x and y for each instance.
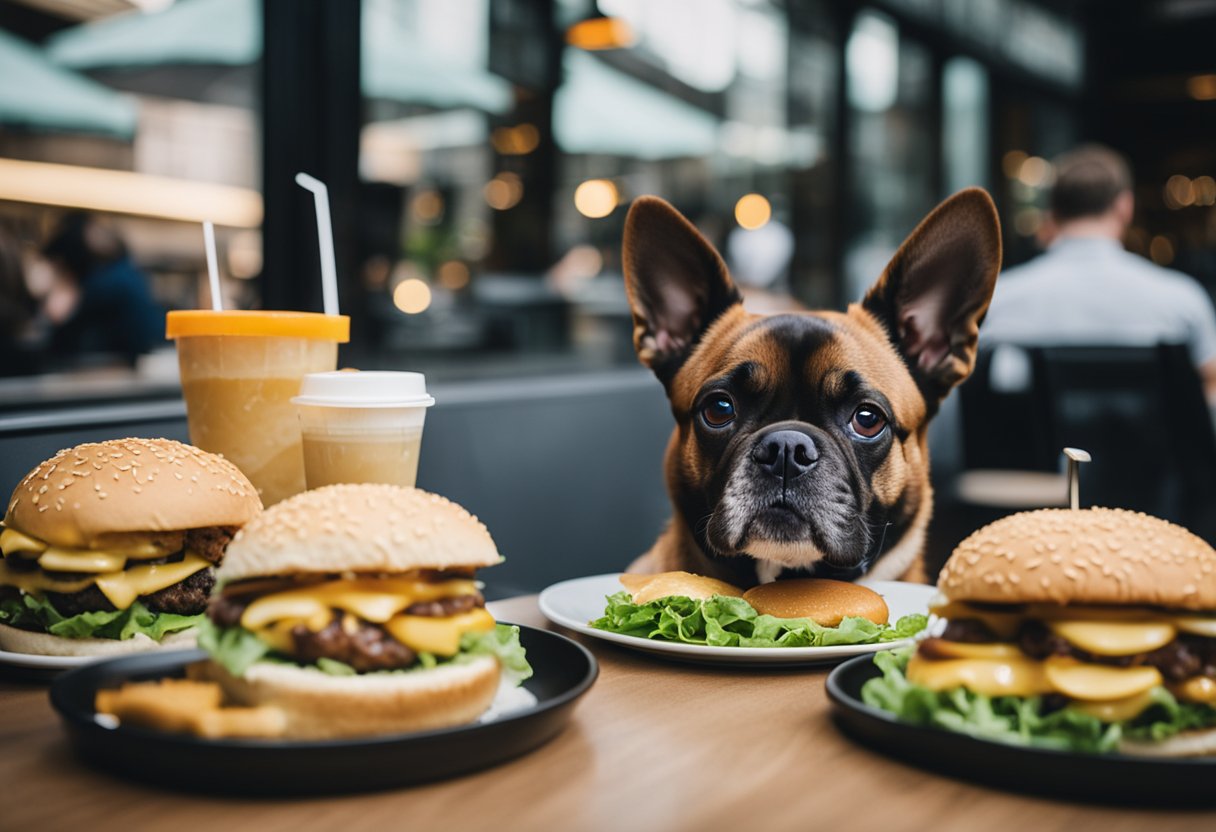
(238, 650)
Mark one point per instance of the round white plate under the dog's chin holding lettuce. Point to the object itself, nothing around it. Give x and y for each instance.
(572, 604)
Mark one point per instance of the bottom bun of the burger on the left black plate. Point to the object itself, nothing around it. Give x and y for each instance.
(323, 707)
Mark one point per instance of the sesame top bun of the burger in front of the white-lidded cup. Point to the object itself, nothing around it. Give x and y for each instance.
(358, 529)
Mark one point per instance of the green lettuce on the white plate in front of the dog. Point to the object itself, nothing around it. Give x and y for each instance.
(731, 622)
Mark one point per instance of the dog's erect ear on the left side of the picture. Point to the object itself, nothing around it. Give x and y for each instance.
(678, 285)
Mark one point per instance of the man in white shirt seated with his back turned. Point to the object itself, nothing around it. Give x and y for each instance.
(1088, 290)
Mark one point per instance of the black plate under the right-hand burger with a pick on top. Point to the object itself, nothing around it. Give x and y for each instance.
(1097, 778)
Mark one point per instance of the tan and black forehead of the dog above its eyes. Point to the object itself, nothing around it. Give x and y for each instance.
(827, 351)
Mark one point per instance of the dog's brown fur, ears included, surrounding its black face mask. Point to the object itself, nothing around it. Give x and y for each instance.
(914, 338)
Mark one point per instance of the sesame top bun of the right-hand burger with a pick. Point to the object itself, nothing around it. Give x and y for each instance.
(1083, 556)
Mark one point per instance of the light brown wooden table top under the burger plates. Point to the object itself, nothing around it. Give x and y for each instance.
(652, 746)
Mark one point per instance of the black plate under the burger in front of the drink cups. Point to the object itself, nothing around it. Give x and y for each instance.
(564, 671)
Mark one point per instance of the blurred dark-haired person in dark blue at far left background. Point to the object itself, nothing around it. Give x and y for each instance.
(102, 302)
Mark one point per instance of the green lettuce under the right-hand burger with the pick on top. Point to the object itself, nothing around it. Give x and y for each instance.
(1023, 721)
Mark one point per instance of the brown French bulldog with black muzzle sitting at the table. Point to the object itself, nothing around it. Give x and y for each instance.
(800, 446)
